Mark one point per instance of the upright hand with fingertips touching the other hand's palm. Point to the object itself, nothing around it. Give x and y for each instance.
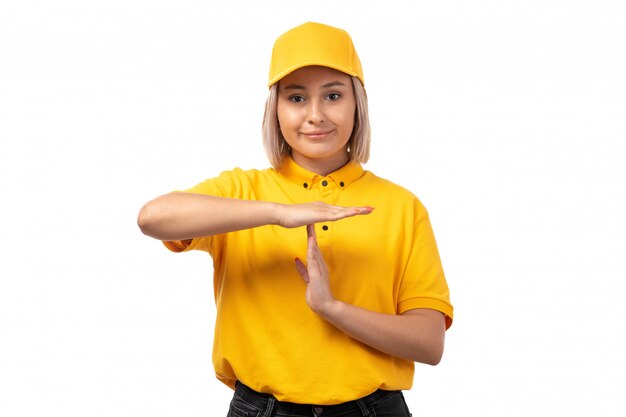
(315, 274)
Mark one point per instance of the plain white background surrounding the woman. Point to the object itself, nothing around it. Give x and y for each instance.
(507, 119)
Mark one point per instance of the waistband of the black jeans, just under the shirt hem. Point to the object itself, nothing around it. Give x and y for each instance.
(263, 401)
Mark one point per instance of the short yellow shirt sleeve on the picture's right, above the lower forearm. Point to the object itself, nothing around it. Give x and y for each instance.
(423, 283)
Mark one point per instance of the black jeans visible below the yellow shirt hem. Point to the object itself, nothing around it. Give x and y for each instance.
(249, 403)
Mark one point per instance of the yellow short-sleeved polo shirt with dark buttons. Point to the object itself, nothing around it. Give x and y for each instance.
(266, 335)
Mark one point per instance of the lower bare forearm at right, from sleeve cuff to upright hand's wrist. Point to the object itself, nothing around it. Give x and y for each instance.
(417, 335)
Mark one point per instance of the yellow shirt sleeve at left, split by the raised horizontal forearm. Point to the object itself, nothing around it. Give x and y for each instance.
(228, 184)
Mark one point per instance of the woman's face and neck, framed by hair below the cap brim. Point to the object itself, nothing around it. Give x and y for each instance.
(316, 108)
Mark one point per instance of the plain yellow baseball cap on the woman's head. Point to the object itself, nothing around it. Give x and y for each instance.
(314, 44)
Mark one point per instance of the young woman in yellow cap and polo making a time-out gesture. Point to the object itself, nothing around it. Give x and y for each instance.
(328, 281)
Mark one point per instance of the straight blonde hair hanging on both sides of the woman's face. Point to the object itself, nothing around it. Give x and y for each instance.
(277, 148)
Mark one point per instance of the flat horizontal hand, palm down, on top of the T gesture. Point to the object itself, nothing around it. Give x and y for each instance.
(296, 215)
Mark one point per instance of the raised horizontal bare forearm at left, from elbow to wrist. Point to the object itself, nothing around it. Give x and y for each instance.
(179, 215)
